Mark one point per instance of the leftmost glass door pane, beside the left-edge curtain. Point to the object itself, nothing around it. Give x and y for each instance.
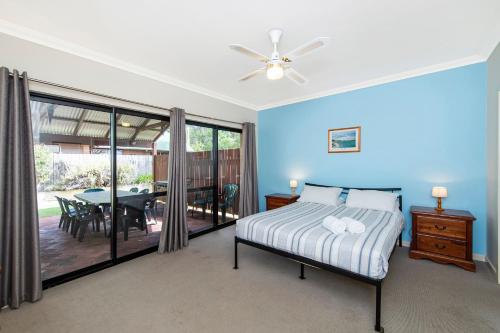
(73, 177)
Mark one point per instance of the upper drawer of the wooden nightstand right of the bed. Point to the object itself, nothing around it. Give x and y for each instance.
(442, 227)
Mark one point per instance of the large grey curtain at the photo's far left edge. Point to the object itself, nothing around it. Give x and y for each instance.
(20, 276)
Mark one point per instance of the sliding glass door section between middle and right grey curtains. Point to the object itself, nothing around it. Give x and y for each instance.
(213, 165)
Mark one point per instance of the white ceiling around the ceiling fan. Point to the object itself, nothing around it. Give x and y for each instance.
(186, 42)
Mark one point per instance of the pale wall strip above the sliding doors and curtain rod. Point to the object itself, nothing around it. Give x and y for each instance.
(59, 67)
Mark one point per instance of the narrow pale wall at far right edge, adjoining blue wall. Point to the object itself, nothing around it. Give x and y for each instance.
(492, 156)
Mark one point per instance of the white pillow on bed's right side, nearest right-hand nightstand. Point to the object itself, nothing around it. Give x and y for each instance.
(372, 199)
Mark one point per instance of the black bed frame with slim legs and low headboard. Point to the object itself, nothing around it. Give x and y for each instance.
(306, 261)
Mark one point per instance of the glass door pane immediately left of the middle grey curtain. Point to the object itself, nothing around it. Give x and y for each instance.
(142, 148)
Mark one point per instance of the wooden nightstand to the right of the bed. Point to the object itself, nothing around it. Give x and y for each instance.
(444, 237)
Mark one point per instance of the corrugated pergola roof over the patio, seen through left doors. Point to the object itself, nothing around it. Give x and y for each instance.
(65, 120)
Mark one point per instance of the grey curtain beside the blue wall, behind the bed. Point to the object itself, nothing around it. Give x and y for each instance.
(249, 196)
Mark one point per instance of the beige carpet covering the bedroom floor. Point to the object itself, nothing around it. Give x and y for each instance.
(196, 290)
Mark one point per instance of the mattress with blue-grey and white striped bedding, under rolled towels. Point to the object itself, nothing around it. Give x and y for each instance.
(297, 229)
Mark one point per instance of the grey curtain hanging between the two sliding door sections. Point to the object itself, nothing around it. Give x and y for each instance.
(174, 231)
